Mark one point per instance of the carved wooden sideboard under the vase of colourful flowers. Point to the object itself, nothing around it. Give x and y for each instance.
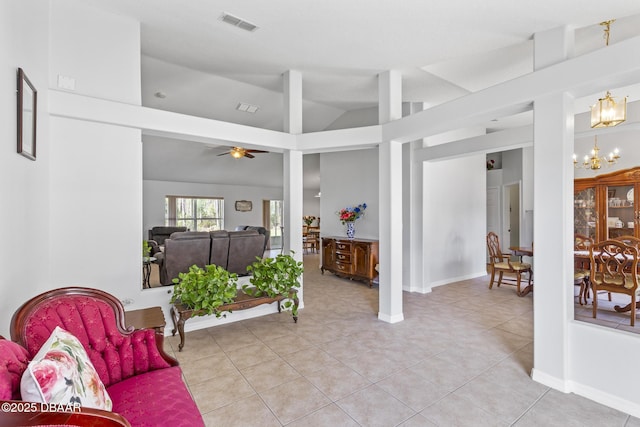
(351, 258)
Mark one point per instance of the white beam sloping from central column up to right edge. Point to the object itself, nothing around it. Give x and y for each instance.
(581, 76)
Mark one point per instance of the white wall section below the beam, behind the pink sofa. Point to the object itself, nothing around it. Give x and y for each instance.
(96, 203)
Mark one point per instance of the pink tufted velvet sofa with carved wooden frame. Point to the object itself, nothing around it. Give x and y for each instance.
(144, 383)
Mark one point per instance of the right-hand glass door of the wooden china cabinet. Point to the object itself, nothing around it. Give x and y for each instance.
(620, 211)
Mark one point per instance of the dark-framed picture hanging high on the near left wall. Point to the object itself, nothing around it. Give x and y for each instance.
(27, 115)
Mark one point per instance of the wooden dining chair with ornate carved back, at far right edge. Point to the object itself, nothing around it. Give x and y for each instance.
(614, 268)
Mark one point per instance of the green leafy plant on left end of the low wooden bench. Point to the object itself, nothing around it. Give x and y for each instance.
(205, 289)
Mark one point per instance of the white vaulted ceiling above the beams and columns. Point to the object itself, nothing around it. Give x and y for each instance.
(443, 49)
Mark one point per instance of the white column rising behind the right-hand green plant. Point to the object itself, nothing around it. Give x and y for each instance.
(292, 239)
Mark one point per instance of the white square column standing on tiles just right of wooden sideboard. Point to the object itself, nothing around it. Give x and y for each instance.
(390, 199)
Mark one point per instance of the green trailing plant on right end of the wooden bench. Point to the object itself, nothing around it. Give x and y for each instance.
(275, 276)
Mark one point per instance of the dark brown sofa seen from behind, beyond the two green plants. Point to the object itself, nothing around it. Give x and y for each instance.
(232, 250)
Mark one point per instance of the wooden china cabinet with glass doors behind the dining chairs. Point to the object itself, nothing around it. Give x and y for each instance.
(607, 206)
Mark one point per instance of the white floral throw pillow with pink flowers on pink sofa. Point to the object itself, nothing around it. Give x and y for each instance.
(62, 373)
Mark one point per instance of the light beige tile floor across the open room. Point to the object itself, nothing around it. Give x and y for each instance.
(447, 364)
